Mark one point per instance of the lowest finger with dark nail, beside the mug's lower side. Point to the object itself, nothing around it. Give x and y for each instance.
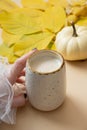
(19, 101)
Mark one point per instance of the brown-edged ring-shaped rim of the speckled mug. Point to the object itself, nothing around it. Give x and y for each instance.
(46, 73)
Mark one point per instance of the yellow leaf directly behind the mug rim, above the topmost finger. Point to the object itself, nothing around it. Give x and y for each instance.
(28, 42)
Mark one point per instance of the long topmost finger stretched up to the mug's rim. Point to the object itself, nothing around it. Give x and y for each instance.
(18, 66)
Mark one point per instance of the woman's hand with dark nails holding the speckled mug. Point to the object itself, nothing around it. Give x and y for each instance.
(16, 75)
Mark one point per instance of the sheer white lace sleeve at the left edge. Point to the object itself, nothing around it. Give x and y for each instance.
(7, 113)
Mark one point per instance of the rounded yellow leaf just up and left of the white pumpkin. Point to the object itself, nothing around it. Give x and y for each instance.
(53, 18)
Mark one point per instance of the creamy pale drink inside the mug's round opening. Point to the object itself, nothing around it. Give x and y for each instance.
(46, 63)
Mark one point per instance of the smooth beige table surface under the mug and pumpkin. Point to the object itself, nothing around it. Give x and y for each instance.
(72, 115)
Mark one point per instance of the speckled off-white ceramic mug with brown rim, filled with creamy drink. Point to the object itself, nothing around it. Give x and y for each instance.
(46, 80)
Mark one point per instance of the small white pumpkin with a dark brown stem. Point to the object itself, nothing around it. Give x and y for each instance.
(71, 42)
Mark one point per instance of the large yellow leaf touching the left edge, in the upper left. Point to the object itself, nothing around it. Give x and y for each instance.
(19, 23)
